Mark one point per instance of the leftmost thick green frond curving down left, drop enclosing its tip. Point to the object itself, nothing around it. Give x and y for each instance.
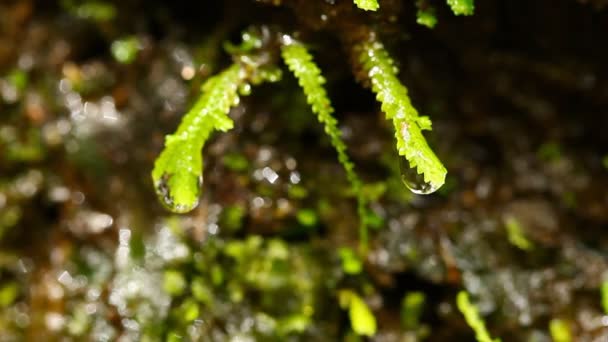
(177, 173)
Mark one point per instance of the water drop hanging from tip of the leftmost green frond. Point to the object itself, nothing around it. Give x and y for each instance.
(176, 196)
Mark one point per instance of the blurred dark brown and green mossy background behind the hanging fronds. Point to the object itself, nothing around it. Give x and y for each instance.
(517, 94)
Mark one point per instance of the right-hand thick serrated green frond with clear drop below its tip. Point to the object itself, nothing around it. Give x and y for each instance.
(398, 107)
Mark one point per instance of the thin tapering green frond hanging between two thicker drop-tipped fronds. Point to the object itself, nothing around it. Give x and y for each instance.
(301, 63)
